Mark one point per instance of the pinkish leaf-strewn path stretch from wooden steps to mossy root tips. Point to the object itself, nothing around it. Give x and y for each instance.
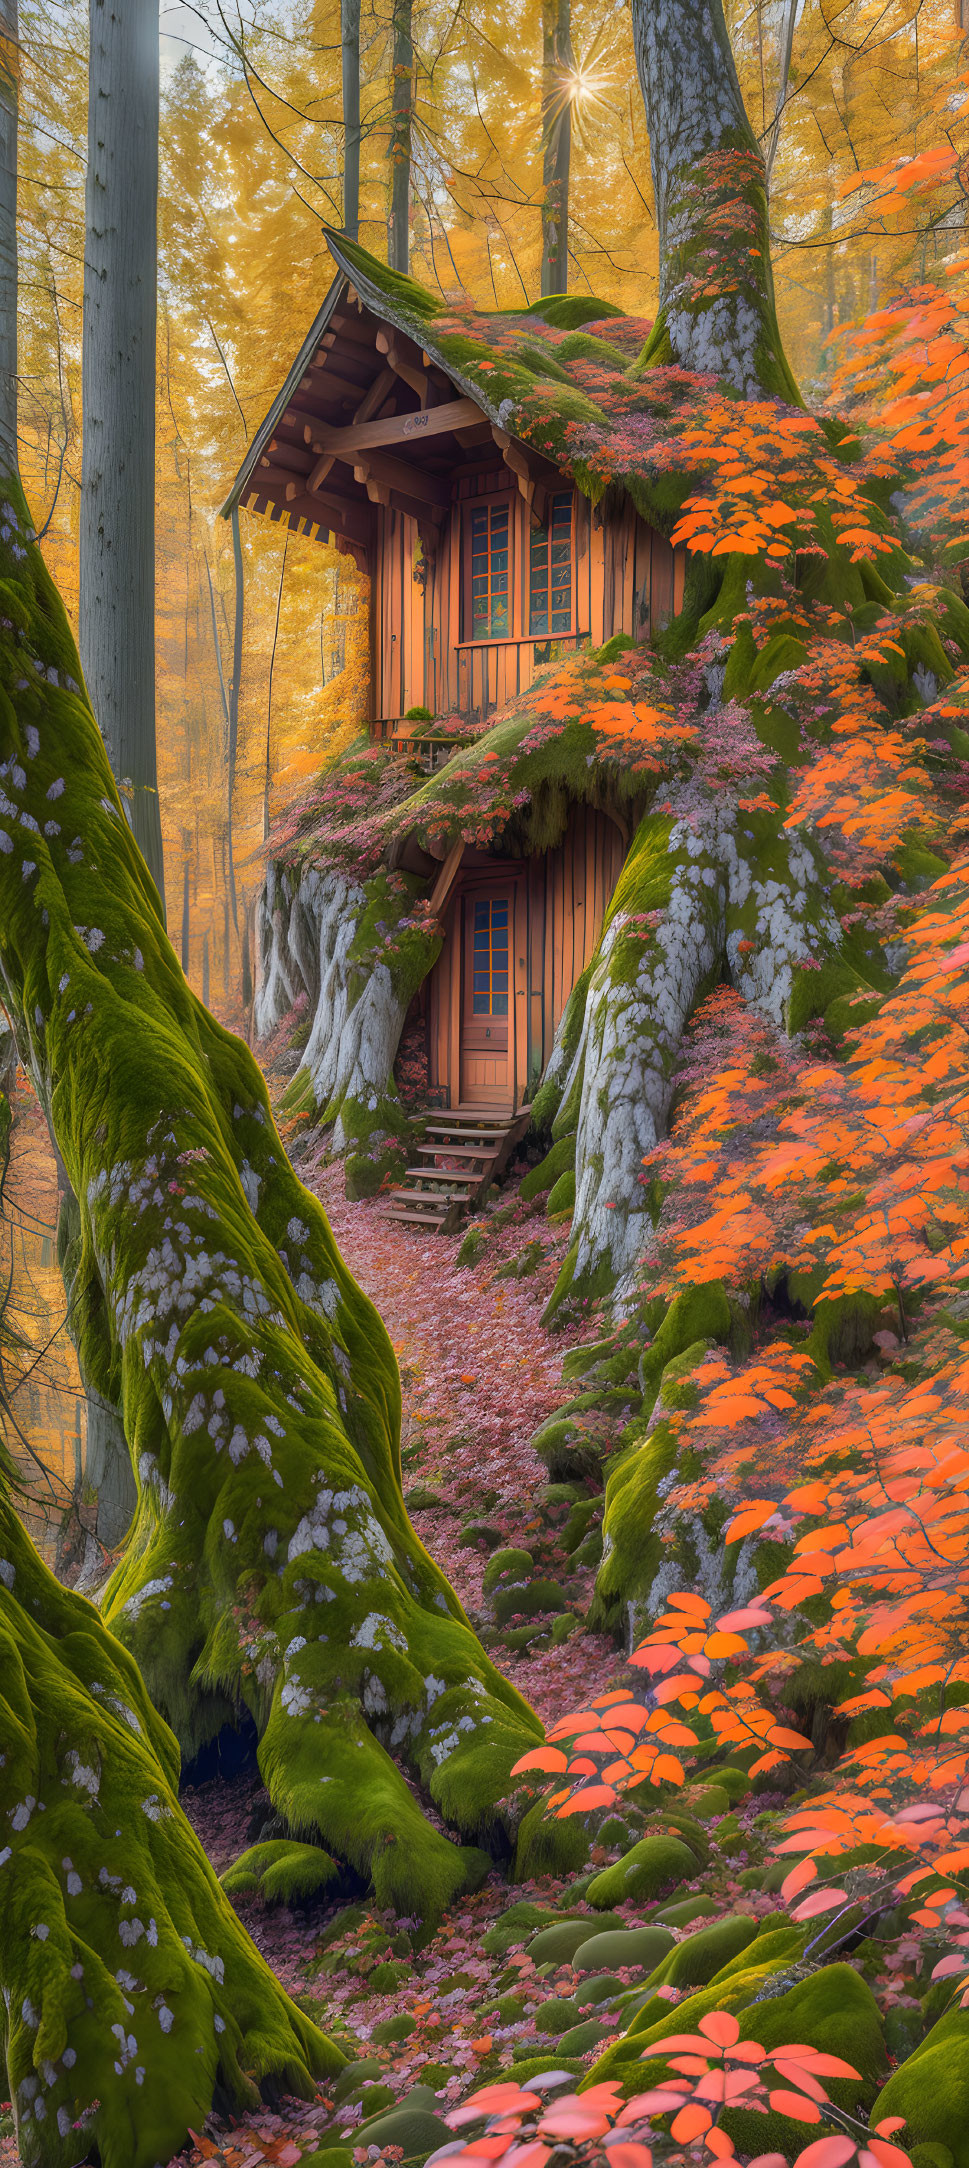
(478, 1376)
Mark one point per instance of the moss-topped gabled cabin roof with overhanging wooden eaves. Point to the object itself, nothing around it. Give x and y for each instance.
(541, 376)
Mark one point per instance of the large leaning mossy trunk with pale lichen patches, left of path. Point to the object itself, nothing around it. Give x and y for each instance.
(270, 1562)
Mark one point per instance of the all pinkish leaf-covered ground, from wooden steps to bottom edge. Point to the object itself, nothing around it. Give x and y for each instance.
(478, 1376)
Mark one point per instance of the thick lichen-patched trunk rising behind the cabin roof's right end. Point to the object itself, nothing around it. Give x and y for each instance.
(716, 287)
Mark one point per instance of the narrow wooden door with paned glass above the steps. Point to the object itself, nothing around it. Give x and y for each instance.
(489, 990)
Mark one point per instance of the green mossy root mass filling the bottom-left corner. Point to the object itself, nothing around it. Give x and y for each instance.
(131, 1993)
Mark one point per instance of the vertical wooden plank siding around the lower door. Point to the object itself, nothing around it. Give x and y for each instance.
(558, 918)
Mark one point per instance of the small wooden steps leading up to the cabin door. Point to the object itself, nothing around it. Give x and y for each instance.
(474, 1146)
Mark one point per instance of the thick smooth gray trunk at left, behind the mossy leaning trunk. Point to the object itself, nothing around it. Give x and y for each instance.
(118, 402)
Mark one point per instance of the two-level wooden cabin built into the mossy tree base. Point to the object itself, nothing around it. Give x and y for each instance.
(484, 565)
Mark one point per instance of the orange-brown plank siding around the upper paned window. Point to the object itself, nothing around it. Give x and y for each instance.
(628, 580)
